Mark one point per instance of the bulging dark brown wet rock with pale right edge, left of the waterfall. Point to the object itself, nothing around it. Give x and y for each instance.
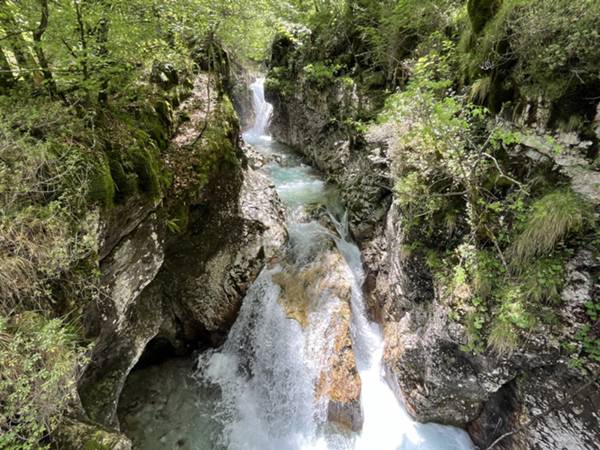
(231, 236)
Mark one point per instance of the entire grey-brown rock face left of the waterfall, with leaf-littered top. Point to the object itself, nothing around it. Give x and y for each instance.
(183, 286)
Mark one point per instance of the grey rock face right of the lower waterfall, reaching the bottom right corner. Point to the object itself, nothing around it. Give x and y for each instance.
(440, 382)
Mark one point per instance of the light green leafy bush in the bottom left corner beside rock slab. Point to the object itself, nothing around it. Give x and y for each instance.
(38, 363)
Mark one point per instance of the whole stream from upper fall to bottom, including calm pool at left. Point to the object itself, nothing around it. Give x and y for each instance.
(259, 390)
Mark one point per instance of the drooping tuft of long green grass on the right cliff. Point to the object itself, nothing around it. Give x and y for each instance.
(552, 218)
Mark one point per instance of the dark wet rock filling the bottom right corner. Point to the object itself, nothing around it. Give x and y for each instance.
(547, 408)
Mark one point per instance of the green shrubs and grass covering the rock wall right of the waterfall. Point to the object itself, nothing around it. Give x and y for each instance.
(503, 269)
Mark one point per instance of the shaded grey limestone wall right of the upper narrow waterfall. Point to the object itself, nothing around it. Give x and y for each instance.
(303, 121)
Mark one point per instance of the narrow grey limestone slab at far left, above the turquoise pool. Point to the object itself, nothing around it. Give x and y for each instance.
(124, 321)
